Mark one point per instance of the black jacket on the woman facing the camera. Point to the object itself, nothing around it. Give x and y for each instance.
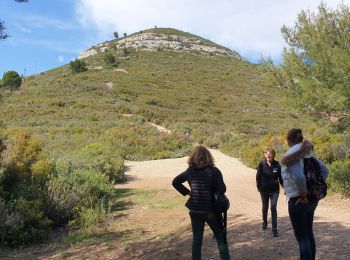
(268, 177)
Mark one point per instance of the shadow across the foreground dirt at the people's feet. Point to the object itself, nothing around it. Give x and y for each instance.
(246, 241)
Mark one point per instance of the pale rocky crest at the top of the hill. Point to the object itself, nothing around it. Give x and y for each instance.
(162, 39)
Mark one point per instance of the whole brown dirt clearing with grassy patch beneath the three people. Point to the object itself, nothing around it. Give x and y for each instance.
(155, 224)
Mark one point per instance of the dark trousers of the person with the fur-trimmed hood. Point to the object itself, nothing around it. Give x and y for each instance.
(302, 217)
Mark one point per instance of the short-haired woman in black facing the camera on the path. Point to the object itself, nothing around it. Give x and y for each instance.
(268, 180)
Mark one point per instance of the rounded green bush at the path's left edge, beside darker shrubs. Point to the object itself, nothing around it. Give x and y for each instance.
(71, 193)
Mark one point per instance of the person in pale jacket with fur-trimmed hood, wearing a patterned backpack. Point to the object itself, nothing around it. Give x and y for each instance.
(300, 169)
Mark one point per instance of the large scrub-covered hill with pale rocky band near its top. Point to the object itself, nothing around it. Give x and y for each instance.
(164, 76)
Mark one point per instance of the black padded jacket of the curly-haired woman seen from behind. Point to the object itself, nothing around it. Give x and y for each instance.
(203, 181)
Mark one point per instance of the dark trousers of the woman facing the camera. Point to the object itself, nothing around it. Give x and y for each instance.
(265, 198)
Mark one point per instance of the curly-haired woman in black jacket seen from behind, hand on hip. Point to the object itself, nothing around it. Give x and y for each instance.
(204, 180)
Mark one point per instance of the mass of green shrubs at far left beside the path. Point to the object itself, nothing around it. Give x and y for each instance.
(36, 193)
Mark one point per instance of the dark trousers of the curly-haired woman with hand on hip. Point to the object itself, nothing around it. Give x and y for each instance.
(198, 221)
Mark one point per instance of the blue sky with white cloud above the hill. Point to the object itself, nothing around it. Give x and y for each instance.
(47, 34)
